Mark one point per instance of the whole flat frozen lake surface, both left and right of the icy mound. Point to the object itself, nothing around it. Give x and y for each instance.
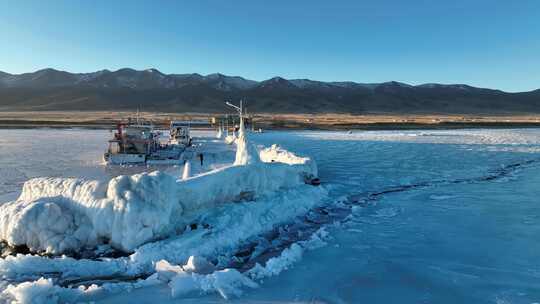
(433, 216)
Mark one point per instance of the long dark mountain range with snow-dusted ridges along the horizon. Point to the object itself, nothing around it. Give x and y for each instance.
(151, 90)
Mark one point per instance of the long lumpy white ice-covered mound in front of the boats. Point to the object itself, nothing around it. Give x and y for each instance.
(62, 214)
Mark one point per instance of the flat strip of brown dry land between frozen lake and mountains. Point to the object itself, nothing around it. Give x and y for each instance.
(281, 121)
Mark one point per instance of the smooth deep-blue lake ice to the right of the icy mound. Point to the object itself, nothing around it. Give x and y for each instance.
(472, 242)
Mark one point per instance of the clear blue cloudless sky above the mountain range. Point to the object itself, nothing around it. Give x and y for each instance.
(493, 44)
